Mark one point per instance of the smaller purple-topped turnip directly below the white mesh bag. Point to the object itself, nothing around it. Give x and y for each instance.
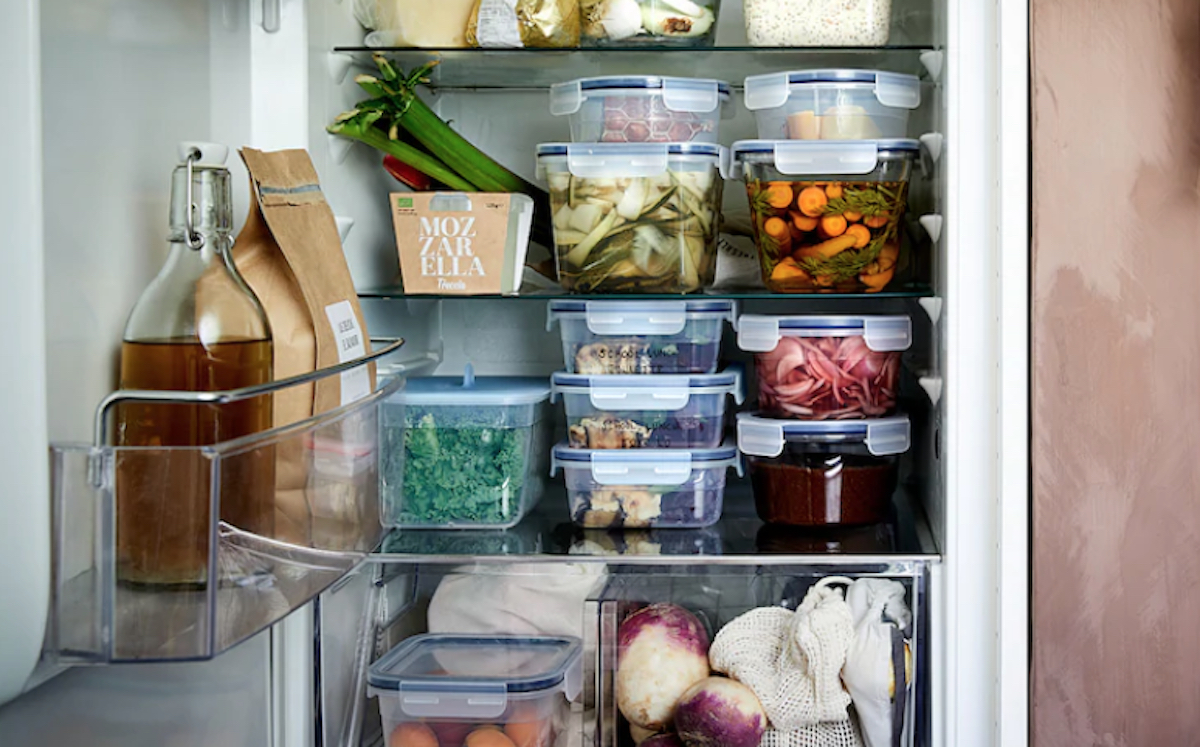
(721, 713)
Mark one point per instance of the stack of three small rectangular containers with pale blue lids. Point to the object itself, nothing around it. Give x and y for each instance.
(646, 411)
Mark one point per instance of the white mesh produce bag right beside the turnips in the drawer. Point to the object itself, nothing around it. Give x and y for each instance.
(793, 661)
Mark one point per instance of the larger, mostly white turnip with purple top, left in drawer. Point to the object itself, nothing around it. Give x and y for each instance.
(662, 652)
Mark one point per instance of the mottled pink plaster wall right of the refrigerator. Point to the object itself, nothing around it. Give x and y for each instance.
(1117, 373)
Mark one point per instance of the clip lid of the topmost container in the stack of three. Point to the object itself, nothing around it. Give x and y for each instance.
(640, 318)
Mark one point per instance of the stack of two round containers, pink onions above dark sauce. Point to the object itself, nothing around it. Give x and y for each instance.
(825, 445)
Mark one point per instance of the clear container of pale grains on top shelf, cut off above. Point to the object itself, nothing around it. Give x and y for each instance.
(818, 23)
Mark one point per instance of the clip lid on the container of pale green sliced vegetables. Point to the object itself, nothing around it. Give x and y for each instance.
(605, 160)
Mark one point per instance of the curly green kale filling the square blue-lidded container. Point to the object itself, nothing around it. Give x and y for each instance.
(463, 475)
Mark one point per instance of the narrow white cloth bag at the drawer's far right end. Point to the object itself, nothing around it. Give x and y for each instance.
(877, 685)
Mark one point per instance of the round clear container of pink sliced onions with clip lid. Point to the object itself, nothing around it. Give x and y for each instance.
(823, 368)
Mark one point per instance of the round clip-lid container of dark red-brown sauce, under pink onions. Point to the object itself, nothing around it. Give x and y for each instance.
(821, 474)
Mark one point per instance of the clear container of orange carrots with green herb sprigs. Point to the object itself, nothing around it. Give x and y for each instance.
(829, 234)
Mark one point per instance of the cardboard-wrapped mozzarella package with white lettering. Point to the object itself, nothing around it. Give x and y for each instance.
(453, 243)
